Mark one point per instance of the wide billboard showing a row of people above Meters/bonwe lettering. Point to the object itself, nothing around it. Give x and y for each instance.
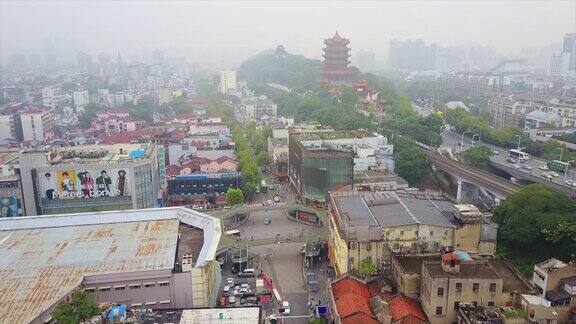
(82, 184)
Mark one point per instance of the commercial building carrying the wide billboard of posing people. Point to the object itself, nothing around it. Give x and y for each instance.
(89, 178)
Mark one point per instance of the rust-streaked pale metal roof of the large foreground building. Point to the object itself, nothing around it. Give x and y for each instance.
(41, 265)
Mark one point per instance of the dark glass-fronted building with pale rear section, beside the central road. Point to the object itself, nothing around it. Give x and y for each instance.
(319, 162)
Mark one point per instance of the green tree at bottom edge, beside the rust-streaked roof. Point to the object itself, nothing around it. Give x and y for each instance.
(80, 308)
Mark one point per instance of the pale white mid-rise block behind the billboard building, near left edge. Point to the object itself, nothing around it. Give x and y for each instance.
(36, 123)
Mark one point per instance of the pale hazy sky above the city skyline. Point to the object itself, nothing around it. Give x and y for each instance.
(230, 31)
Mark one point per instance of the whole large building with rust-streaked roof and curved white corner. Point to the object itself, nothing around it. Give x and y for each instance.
(150, 258)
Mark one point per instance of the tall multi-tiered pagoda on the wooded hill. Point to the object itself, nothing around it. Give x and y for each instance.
(335, 68)
